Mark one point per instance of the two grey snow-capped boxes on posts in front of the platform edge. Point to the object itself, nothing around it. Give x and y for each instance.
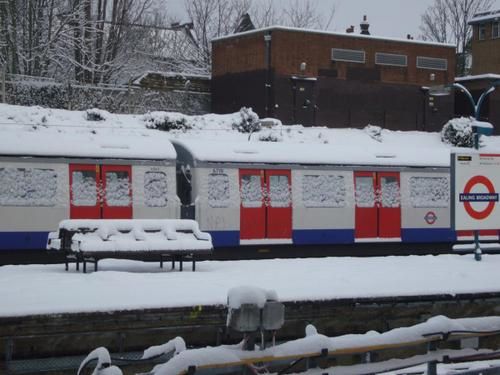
(252, 310)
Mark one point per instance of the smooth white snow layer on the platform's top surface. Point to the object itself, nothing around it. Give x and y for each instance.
(122, 284)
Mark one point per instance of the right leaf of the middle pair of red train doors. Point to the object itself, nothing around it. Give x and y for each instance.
(279, 206)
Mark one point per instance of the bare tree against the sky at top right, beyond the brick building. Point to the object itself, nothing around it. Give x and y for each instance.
(447, 21)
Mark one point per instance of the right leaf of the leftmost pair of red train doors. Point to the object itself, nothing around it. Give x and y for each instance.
(117, 192)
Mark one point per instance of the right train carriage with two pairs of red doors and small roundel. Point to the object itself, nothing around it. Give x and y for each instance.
(260, 193)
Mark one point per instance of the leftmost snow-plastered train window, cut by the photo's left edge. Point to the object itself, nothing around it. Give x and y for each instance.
(27, 187)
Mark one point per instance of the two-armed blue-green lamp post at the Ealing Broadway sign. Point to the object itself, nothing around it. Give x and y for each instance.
(478, 127)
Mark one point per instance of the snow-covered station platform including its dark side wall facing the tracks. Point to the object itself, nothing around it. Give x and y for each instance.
(46, 311)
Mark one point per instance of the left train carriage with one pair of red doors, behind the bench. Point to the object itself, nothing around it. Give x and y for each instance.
(48, 176)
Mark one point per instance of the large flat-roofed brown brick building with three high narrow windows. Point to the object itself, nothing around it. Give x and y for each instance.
(333, 79)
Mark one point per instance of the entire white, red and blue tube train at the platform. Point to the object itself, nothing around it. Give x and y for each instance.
(252, 195)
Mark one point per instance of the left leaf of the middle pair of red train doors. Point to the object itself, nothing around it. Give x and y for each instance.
(252, 208)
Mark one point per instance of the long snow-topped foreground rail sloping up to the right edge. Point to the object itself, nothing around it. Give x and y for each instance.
(313, 344)
